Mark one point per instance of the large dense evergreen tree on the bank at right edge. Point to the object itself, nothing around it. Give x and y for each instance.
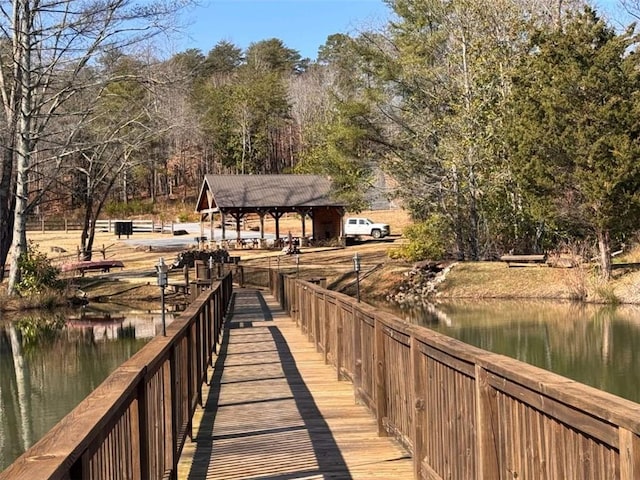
(575, 134)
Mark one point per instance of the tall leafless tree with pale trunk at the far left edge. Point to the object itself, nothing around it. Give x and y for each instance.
(51, 51)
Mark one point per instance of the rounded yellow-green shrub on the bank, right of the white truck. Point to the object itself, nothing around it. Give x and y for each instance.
(426, 240)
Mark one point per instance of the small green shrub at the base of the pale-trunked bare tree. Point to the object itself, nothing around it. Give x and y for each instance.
(37, 274)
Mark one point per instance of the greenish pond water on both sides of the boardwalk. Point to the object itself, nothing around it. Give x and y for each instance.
(595, 345)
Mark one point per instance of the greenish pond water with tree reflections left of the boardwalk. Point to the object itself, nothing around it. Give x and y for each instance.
(41, 381)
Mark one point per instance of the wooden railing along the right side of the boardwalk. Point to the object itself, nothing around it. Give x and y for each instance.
(462, 412)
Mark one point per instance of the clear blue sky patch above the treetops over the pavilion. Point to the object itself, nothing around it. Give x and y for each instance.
(302, 25)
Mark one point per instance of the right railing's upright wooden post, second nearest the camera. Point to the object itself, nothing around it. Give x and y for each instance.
(486, 427)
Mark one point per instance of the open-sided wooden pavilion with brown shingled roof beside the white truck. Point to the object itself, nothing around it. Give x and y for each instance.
(235, 196)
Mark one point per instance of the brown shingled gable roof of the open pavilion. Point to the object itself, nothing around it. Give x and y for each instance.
(250, 192)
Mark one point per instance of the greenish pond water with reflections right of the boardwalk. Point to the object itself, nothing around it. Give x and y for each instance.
(593, 344)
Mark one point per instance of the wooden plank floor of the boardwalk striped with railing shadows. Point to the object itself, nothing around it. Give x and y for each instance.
(276, 411)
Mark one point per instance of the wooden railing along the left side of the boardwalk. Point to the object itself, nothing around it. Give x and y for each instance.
(134, 425)
